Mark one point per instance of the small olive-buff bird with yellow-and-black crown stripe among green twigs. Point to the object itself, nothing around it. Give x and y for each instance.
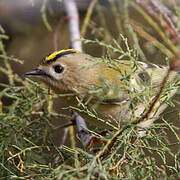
(107, 93)
